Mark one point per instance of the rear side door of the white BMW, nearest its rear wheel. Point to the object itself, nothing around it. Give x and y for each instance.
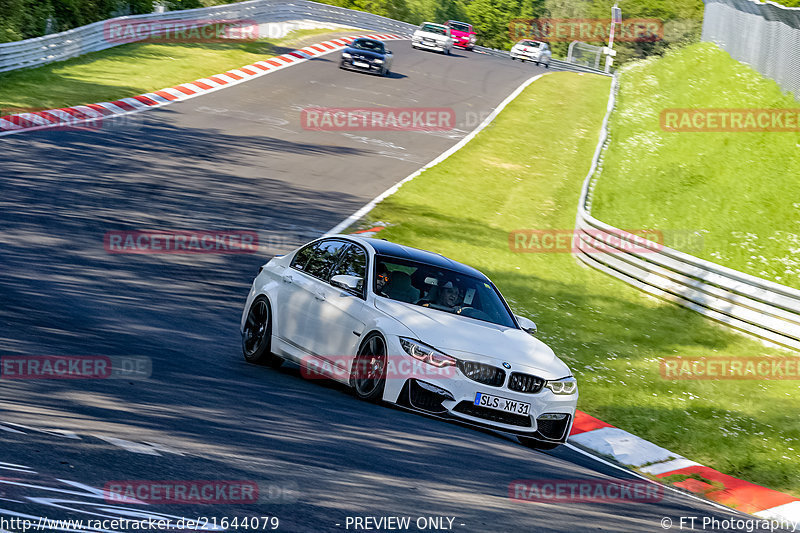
(301, 291)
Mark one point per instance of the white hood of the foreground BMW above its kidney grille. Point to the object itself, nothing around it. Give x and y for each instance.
(467, 338)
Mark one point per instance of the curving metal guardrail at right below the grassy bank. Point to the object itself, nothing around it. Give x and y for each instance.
(762, 308)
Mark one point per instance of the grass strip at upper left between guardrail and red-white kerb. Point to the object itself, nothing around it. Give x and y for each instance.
(131, 69)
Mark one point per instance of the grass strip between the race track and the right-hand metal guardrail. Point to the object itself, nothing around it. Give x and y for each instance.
(610, 334)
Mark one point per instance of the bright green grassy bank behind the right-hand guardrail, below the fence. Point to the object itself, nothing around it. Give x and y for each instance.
(739, 191)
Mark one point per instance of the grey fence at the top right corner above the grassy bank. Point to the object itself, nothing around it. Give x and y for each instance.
(766, 36)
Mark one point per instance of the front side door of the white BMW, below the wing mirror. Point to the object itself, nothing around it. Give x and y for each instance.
(340, 317)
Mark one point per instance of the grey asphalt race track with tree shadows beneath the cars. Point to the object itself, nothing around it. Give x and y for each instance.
(238, 159)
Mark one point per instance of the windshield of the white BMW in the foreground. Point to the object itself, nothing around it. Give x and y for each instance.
(437, 288)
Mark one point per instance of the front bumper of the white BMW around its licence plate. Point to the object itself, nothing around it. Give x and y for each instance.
(452, 396)
